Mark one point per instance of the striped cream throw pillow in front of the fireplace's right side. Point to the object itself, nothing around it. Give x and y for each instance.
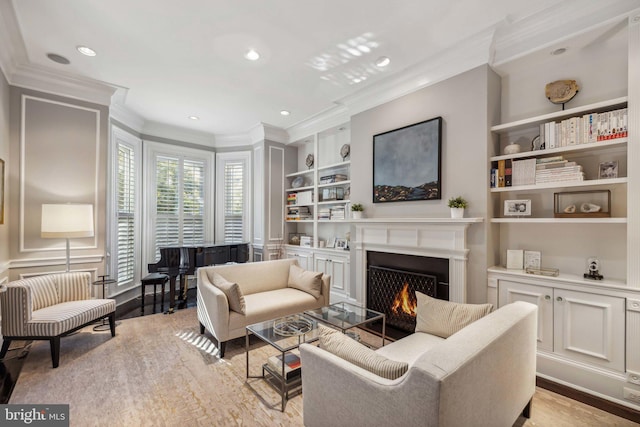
(445, 318)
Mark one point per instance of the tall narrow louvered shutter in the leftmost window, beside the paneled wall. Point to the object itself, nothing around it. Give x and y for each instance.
(126, 193)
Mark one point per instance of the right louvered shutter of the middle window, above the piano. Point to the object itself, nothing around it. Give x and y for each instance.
(193, 203)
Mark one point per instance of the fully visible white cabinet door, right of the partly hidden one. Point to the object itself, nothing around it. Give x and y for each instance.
(590, 328)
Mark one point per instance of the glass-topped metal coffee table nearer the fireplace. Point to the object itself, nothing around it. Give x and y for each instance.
(344, 316)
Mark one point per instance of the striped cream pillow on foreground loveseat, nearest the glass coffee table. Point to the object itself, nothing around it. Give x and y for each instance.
(352, 351)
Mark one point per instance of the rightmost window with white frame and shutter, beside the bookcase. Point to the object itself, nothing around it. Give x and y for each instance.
(233, 196)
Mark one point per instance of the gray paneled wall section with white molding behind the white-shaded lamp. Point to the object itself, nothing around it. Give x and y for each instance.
(58, 154)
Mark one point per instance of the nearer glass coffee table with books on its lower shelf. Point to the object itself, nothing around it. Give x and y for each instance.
(284, 334)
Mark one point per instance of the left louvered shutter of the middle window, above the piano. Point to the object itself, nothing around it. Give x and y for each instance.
(167, 230)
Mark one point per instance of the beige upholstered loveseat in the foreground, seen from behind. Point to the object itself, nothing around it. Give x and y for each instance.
(482, 375)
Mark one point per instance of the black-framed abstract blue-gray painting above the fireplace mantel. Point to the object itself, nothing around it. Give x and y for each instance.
(407, 163)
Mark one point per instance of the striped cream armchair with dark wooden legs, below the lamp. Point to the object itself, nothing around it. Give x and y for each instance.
(50, 307)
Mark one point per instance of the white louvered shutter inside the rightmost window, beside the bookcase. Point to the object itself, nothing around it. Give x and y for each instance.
(234, 183)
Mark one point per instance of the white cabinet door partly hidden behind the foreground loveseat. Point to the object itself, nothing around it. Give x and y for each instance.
(541, 296)
